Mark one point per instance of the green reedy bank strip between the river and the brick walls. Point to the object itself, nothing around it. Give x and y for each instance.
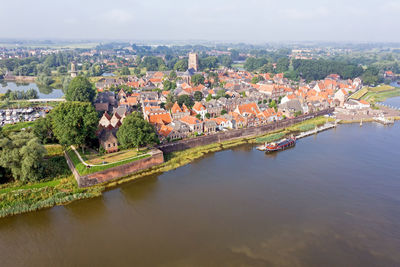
(19, 199)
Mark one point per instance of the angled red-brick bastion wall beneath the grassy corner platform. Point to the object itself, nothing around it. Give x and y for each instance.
(116, 172)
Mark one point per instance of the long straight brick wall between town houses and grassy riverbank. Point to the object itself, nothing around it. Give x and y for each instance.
(236, 134)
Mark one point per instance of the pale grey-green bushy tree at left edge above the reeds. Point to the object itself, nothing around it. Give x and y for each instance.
(22, 154)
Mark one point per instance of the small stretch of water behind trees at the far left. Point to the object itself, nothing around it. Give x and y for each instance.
(43, 92)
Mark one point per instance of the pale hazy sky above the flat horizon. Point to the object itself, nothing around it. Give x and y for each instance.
(213, 20)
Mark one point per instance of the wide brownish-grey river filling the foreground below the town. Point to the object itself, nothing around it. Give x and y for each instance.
(333, 200)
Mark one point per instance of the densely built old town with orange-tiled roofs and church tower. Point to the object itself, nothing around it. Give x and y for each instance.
(192, 108)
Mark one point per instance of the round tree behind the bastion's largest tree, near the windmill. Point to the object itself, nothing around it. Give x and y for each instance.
(80, 89)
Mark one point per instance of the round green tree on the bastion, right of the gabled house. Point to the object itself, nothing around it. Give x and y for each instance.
(136, 132)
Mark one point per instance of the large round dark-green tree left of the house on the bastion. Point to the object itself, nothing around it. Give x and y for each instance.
(74, 123)
